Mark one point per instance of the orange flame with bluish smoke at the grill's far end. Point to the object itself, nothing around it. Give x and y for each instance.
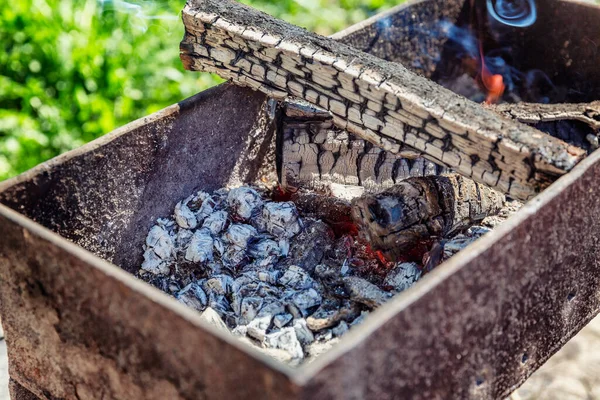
(480, 62)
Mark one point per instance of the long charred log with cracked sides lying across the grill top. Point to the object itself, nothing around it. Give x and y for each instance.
(378, 101)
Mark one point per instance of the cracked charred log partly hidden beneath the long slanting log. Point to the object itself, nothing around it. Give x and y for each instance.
(313, 153)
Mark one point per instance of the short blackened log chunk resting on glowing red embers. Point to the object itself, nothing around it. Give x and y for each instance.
(423, 208)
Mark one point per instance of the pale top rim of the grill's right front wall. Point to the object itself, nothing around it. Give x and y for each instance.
(378, 318)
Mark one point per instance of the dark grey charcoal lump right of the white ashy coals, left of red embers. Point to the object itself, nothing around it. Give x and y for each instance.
(309, 247)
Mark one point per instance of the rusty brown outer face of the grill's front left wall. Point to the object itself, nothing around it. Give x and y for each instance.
(80, 328)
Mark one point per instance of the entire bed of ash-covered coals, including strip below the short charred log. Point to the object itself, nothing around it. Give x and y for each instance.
(289, 277)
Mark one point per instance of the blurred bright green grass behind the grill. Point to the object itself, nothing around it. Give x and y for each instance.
(72, 70)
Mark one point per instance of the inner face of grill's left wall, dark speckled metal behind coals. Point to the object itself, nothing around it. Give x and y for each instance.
(105, 196)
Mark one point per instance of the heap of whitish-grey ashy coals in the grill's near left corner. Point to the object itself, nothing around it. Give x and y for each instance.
(250, 262)
